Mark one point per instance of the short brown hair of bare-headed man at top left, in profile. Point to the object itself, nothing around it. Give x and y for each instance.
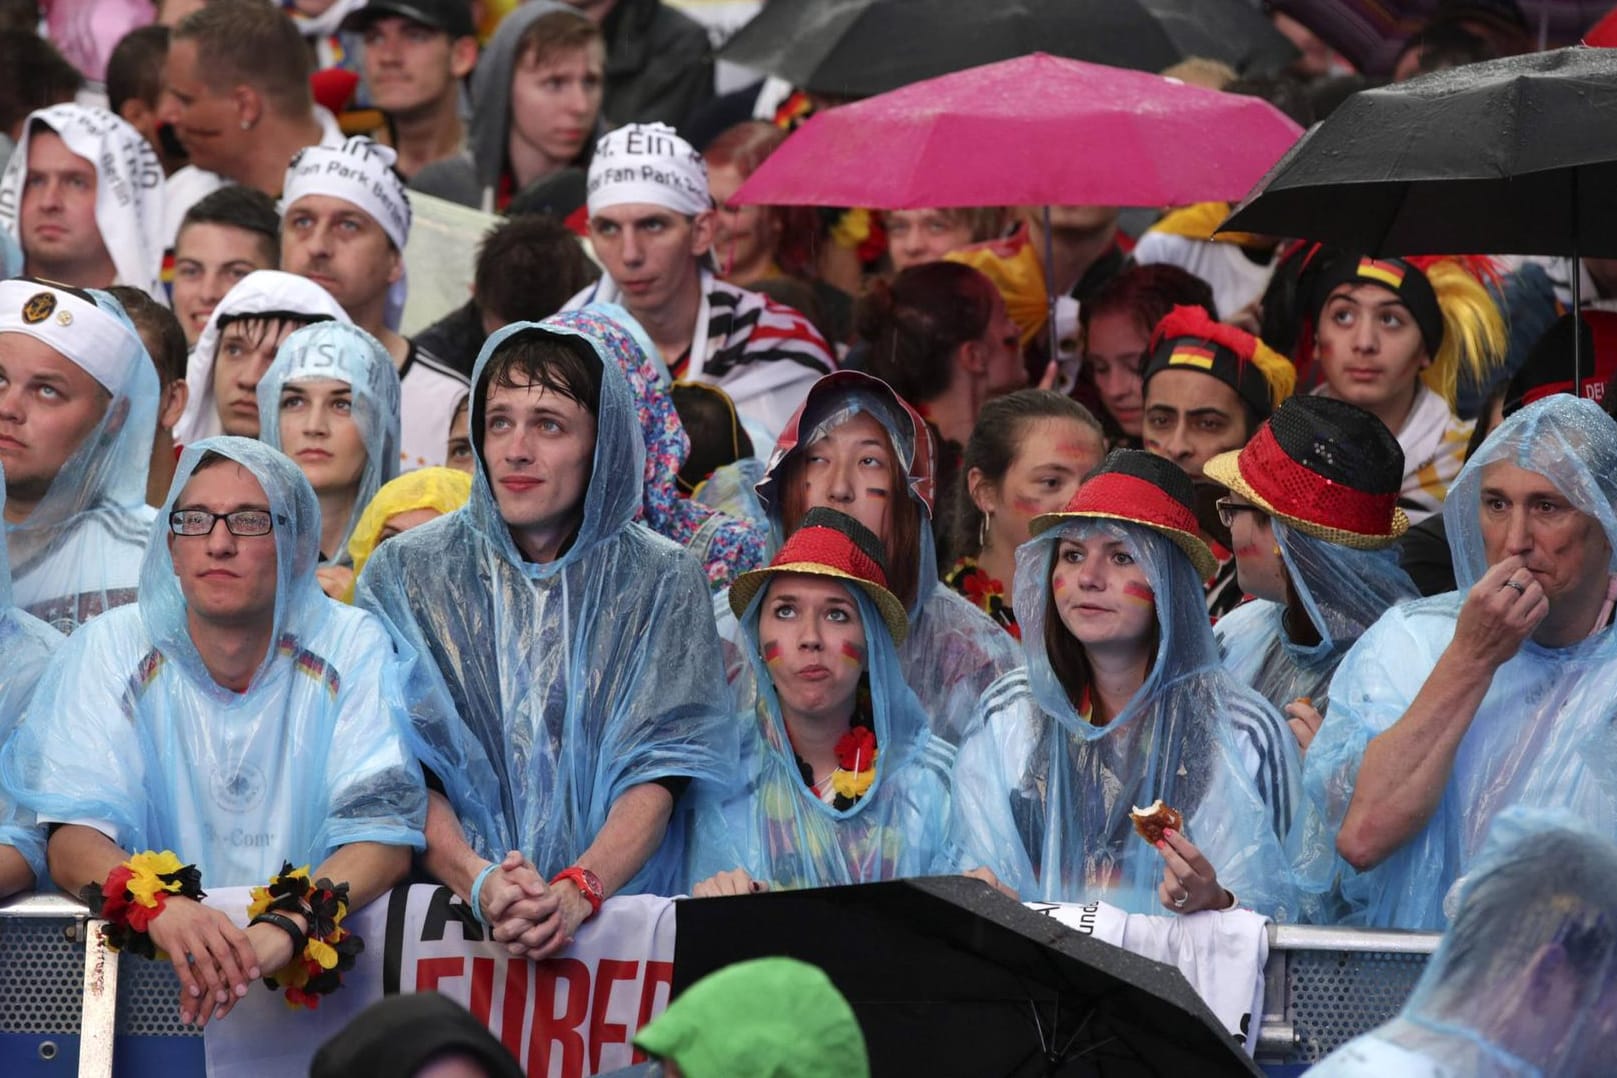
(251, 43)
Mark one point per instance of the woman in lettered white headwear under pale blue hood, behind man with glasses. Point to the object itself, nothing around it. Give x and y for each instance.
(331, 402)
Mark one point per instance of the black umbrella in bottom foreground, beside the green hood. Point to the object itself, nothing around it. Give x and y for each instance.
(950, 977)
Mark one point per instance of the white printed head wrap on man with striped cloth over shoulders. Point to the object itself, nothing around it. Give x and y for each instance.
(651, 164)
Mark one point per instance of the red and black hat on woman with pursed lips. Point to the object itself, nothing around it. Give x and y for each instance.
(830, 544)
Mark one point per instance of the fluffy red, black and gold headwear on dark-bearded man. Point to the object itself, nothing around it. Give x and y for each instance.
(1189, 339)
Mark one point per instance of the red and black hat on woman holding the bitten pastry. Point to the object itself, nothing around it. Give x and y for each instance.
(1141, 489)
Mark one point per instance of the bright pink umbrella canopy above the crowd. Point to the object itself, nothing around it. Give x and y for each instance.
(1031, 132)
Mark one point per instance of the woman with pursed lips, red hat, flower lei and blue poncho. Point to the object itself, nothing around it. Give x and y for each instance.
(842, 780)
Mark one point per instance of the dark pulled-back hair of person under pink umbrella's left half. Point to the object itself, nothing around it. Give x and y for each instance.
(914, 326)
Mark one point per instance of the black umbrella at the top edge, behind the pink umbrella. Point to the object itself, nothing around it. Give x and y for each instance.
(864, 48)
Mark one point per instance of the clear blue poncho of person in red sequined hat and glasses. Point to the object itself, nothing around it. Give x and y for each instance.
(1343, 591)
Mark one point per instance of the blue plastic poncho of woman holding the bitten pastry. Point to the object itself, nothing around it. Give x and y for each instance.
(1044, 798)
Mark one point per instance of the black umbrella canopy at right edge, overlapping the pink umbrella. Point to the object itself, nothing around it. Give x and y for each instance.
(1500, 158)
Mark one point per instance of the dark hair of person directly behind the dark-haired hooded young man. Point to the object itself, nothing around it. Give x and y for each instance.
(528, 267)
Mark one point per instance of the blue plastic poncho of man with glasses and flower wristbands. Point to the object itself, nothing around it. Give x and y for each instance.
(129, 730)
